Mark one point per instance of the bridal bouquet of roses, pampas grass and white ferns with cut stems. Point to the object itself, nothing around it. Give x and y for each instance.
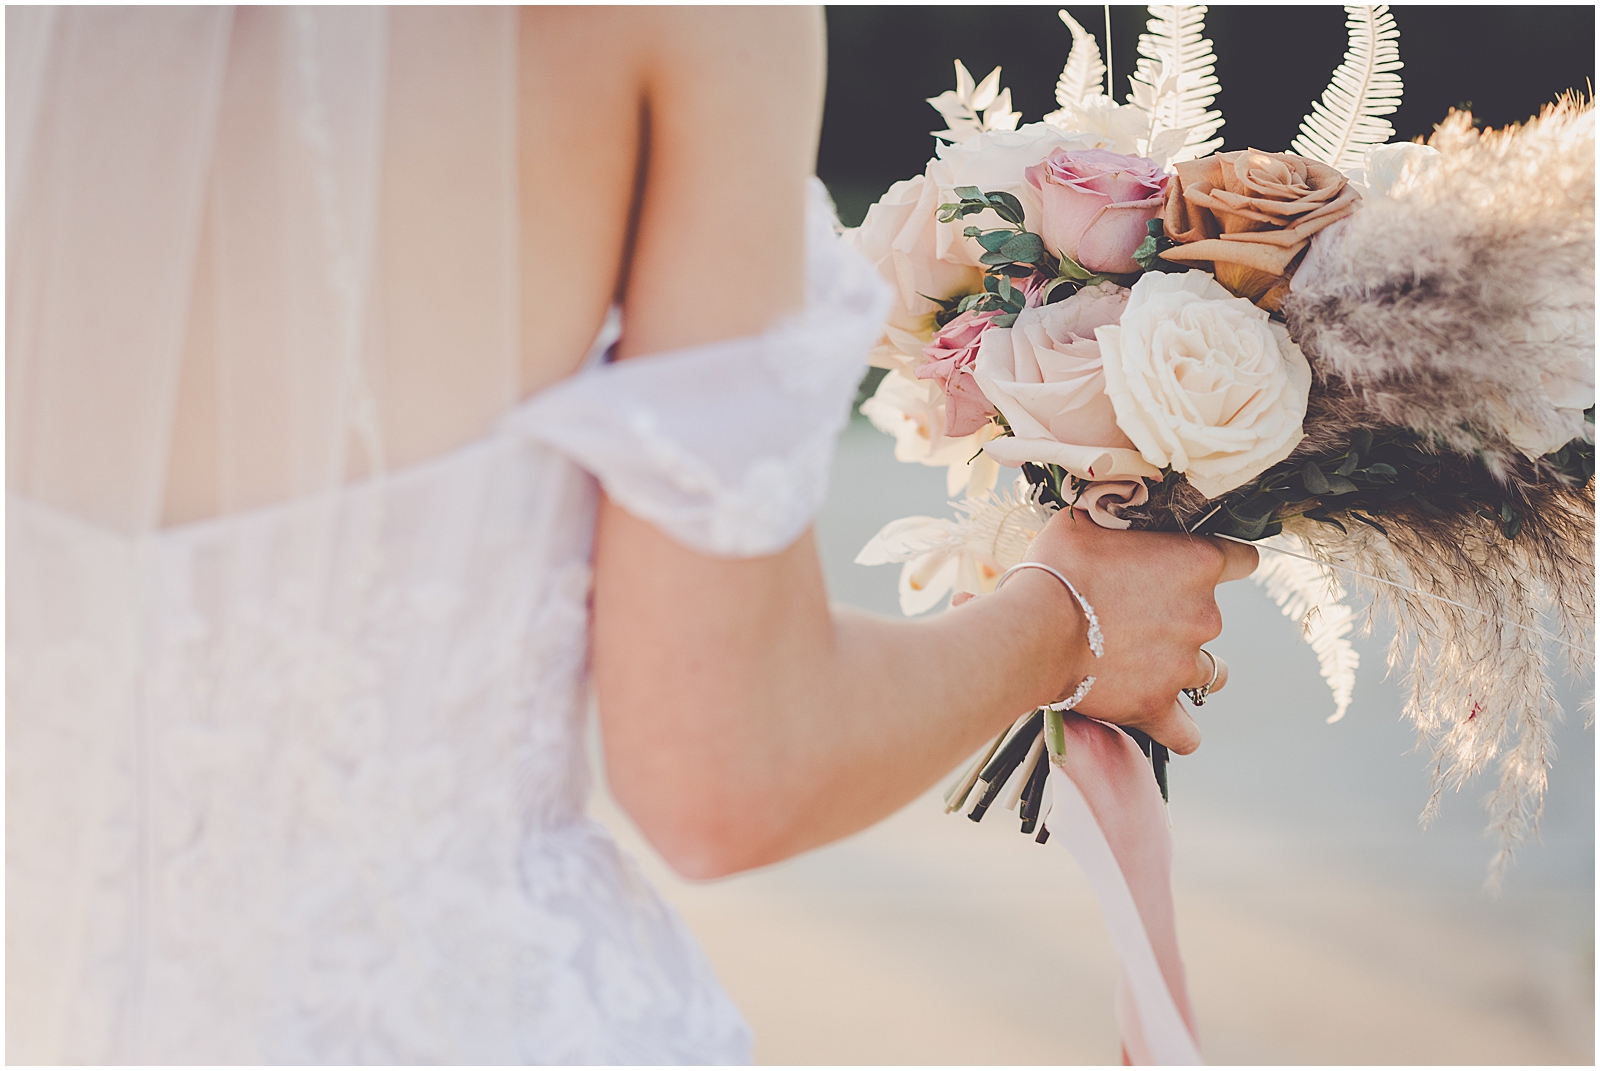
(1369, 358)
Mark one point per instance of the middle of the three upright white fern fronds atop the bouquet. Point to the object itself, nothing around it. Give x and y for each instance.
(1175, 81)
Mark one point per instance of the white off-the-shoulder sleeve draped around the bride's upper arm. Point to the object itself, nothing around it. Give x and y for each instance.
(727, 447)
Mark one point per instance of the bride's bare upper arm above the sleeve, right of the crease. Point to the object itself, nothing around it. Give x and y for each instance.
(735, 110)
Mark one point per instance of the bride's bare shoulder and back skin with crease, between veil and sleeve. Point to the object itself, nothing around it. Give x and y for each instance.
(668, 143)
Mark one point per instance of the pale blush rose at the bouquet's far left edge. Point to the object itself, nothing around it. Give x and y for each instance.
(900, 236)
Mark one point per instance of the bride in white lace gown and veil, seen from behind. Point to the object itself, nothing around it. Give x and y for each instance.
(322, 526)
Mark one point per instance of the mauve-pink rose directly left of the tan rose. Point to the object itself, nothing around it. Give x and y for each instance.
(1097, 206)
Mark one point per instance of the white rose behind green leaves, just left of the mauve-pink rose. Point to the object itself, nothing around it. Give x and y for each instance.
(994, 161)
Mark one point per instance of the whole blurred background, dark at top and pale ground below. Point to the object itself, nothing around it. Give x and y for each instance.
(1319, 923)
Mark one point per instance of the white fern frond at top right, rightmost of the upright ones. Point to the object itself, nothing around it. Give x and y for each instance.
(1366, 87)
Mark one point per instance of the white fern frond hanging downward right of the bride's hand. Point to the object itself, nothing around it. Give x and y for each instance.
(1313, 596)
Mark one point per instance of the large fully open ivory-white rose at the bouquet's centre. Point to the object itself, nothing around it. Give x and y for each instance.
(1204, 382)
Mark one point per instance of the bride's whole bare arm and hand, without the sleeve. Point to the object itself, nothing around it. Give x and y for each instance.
(745, 721)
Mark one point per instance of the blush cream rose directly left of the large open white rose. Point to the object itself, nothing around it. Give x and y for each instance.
(1046, 377)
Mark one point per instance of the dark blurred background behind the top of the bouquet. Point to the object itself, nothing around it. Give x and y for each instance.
(1502, 62)
